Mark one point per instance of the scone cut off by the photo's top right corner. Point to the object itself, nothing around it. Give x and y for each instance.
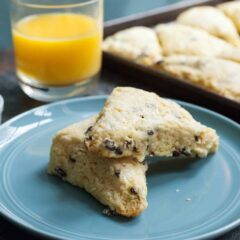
(232, 10)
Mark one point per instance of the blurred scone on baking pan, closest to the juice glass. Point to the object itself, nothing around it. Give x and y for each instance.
(139, 44)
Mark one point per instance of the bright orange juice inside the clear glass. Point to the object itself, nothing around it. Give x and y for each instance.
(57, 49)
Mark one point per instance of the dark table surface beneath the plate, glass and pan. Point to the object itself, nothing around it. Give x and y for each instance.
(17, 102)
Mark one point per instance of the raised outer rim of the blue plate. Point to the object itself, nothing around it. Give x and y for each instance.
(13, 218)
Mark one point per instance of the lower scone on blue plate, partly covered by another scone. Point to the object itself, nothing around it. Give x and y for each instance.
(118, 184)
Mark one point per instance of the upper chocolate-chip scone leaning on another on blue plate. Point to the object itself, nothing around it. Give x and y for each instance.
(136, 123)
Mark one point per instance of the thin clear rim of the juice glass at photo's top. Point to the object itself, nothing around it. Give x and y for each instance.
(55, 6)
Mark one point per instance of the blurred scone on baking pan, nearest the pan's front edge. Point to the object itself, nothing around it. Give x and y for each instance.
(218, 75)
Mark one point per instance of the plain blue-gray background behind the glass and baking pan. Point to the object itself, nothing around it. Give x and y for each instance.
(113, 9)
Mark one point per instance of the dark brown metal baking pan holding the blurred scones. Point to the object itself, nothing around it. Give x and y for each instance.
(170, 86)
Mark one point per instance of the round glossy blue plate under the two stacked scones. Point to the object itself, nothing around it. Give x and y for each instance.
(195, 199)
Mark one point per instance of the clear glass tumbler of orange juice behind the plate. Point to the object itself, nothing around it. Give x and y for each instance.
(57, 46)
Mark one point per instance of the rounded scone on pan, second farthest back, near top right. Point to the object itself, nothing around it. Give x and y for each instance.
(211, 20)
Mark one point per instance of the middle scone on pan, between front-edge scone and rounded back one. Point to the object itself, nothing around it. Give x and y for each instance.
(177, 38)
